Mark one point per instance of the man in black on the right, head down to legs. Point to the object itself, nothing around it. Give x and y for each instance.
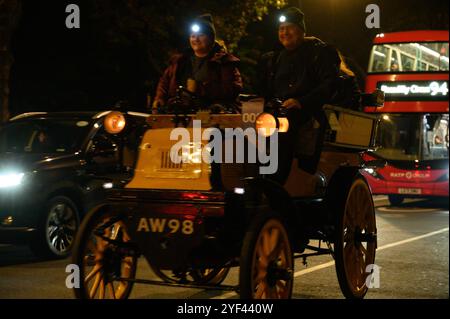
(303, 75)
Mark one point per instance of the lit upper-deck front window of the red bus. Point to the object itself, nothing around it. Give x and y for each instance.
(409, 57)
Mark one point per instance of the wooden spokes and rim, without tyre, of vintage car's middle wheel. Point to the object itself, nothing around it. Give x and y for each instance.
(272, 263)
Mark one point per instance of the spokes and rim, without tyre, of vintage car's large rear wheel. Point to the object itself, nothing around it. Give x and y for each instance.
(358, 237)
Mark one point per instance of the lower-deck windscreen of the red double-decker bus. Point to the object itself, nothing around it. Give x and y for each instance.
(413, 136)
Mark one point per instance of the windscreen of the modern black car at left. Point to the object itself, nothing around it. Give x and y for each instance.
(43, 136)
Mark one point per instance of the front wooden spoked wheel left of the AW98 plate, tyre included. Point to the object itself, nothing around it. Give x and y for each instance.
(104, 263)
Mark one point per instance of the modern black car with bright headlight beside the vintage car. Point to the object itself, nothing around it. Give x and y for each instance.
(54, 167)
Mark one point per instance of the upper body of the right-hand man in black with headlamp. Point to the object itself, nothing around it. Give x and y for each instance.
(302, 73)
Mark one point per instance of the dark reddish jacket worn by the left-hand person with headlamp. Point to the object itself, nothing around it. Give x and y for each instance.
(223, 84)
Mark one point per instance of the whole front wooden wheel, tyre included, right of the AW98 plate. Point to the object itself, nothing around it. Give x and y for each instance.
(266, 266)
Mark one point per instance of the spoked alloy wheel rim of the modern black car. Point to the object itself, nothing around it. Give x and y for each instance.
(61, 228)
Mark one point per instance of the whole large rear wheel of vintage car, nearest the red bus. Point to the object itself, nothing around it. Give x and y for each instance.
(356, 241)
